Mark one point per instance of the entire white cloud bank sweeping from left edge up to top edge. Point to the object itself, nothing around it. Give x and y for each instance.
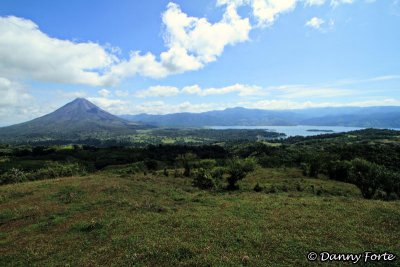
(27, 53)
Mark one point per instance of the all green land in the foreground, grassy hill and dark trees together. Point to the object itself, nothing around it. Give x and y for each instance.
(231, 204)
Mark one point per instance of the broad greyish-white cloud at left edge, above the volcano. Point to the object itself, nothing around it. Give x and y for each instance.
(28, 53)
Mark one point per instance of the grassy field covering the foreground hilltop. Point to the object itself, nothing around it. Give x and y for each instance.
(153, 220)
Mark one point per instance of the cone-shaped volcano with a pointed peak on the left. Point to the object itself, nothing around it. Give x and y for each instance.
(79, 117)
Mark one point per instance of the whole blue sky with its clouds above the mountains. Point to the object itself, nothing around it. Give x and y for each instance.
(161, 57)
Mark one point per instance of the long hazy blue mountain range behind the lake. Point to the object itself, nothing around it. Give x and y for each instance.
(379, 117)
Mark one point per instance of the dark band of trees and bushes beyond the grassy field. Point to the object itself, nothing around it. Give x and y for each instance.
(372, 166)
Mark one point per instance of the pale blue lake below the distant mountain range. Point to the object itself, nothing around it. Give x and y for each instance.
(300, 130)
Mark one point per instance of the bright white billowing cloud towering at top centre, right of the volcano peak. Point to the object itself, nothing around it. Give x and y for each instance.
(192, 42)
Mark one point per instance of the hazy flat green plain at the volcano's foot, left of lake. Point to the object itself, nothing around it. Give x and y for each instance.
(143, 137)
